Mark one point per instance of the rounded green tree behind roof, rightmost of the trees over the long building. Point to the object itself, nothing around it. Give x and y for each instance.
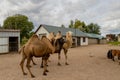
(93, 28)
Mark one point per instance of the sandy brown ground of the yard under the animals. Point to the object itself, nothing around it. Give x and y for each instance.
(82, 66)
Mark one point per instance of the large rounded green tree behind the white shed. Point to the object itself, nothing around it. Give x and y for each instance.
(19, 21)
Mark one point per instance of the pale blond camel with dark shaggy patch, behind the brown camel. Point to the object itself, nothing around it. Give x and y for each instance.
(60, 44)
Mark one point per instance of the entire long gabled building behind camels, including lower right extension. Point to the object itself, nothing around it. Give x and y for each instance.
(79, 38)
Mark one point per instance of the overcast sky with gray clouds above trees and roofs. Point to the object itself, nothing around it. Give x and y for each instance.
(105, 13)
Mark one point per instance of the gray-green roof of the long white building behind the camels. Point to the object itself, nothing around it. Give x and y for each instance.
(76, 32)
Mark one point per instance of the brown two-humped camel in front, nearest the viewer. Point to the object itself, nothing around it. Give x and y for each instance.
(38, 48)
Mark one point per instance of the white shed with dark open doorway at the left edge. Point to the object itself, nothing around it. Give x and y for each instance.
(9, 40)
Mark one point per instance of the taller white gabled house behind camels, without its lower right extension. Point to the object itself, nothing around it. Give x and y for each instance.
(79, 38)
